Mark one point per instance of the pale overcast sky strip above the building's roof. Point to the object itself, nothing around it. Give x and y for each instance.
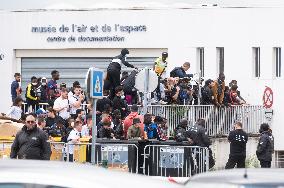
(77, 4)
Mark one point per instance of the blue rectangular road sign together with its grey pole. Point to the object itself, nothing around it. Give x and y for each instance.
(96, 92)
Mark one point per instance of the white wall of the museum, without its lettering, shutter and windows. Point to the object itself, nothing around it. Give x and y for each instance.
(179, 31)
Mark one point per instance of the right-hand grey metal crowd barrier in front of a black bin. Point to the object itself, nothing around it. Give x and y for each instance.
(175, 161)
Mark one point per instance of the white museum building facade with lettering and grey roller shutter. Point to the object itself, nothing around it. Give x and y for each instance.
(244, 43)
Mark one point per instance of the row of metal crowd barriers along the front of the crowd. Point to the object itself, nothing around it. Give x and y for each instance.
(152, 158)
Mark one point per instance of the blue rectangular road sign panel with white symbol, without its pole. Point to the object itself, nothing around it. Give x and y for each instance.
(96, 87)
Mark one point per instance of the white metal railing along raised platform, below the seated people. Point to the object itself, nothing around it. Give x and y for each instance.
(218, 121)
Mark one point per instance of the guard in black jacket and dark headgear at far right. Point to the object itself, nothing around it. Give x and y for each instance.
(265, 146)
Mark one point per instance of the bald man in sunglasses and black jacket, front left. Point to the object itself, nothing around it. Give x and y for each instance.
(31, 142)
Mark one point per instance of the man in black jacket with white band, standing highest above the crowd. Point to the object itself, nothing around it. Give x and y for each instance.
(114, 70)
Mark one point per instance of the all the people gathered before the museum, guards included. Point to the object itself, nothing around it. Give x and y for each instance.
(117, 113)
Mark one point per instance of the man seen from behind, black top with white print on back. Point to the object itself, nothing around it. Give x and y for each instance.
(238, 140)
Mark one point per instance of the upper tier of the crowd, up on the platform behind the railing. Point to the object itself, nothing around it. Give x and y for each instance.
(180, 88)
